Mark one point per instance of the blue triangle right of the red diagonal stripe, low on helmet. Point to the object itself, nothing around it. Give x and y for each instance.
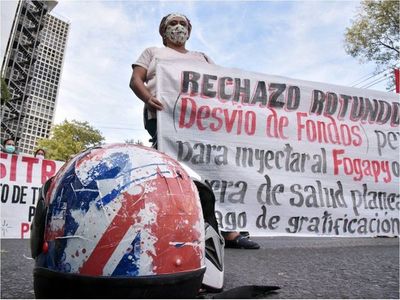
(128, 265)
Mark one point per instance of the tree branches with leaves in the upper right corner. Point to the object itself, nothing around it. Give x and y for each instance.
(374, 34)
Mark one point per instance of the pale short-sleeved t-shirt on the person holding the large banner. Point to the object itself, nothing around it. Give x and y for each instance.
(148, 60)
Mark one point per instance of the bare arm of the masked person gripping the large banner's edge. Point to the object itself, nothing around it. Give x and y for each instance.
(139, 88)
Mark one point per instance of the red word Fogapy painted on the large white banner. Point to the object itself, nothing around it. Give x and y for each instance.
(360, 167)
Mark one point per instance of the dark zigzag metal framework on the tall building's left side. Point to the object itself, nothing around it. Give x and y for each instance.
(18, 62)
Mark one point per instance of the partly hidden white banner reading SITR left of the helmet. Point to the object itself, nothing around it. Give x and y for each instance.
(21, 180)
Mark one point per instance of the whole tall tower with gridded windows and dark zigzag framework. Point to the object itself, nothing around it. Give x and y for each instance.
(32, 69)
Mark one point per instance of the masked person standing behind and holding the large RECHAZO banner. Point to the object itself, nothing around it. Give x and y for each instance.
(175, 30)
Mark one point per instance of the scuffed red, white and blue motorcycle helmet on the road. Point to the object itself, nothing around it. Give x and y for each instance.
(120, 221)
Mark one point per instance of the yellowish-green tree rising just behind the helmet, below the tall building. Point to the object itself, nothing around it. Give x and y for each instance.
(70, 138)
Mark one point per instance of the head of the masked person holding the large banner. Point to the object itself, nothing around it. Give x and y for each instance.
(175, 28)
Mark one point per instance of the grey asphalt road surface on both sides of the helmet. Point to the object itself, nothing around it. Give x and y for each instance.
(302, 267)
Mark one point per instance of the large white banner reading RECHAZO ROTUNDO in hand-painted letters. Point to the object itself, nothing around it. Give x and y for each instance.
(284, 156)
